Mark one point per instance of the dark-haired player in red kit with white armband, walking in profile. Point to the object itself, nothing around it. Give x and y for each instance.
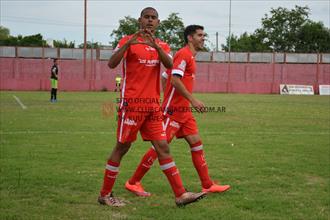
(179, 120)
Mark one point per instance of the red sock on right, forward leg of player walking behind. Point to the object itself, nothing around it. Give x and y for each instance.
(197, 155)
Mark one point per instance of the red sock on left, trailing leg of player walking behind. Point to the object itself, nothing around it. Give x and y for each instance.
(144, 166)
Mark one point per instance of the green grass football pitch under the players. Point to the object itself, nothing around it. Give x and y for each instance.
(274, 151)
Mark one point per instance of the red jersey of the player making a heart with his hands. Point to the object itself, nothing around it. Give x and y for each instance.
(141, 72)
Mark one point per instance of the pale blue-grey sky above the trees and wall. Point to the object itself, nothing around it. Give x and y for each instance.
(59, 19)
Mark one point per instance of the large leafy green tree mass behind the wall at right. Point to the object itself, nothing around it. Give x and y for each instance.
(284, 30)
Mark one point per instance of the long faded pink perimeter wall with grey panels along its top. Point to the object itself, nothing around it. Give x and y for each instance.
(25, 68)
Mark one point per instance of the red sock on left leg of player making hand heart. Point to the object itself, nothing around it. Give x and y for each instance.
(110, 175)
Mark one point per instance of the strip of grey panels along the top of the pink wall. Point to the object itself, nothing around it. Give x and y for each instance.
(221, 57)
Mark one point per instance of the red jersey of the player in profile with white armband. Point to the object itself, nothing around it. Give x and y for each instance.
(184, 65)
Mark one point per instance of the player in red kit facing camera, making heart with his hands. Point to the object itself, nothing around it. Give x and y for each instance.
(139, 108)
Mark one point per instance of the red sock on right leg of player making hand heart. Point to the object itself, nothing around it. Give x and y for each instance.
(172, 173)
